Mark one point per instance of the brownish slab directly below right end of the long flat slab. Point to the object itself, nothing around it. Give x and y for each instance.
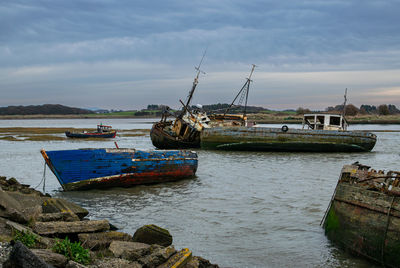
(96, 241)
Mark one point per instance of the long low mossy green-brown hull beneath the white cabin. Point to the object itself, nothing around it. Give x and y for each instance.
(288, 140)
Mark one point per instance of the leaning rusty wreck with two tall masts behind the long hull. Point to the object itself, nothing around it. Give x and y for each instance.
(184, 131)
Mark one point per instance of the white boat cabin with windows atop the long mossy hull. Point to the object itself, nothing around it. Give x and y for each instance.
(325, 121)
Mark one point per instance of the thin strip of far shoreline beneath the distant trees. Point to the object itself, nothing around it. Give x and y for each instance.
(258, 118)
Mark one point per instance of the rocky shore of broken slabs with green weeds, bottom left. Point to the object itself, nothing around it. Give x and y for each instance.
(37, 230)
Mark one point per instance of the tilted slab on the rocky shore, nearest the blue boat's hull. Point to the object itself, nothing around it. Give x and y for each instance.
(55, 205)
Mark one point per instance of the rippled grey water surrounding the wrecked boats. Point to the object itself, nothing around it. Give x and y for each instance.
(243, 209)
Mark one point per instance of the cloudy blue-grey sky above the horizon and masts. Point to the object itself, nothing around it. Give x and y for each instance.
(127, 54)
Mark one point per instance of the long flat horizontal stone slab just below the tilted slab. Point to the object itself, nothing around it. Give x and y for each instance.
(75, 227)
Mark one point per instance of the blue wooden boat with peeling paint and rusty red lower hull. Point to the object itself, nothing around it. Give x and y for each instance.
(102, 168)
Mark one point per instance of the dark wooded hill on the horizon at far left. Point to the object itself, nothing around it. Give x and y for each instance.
(47, 109)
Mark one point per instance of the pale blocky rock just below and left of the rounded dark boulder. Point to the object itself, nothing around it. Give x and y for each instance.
(129, 250)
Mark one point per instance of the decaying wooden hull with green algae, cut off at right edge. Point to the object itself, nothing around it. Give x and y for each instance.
(363, 216)
